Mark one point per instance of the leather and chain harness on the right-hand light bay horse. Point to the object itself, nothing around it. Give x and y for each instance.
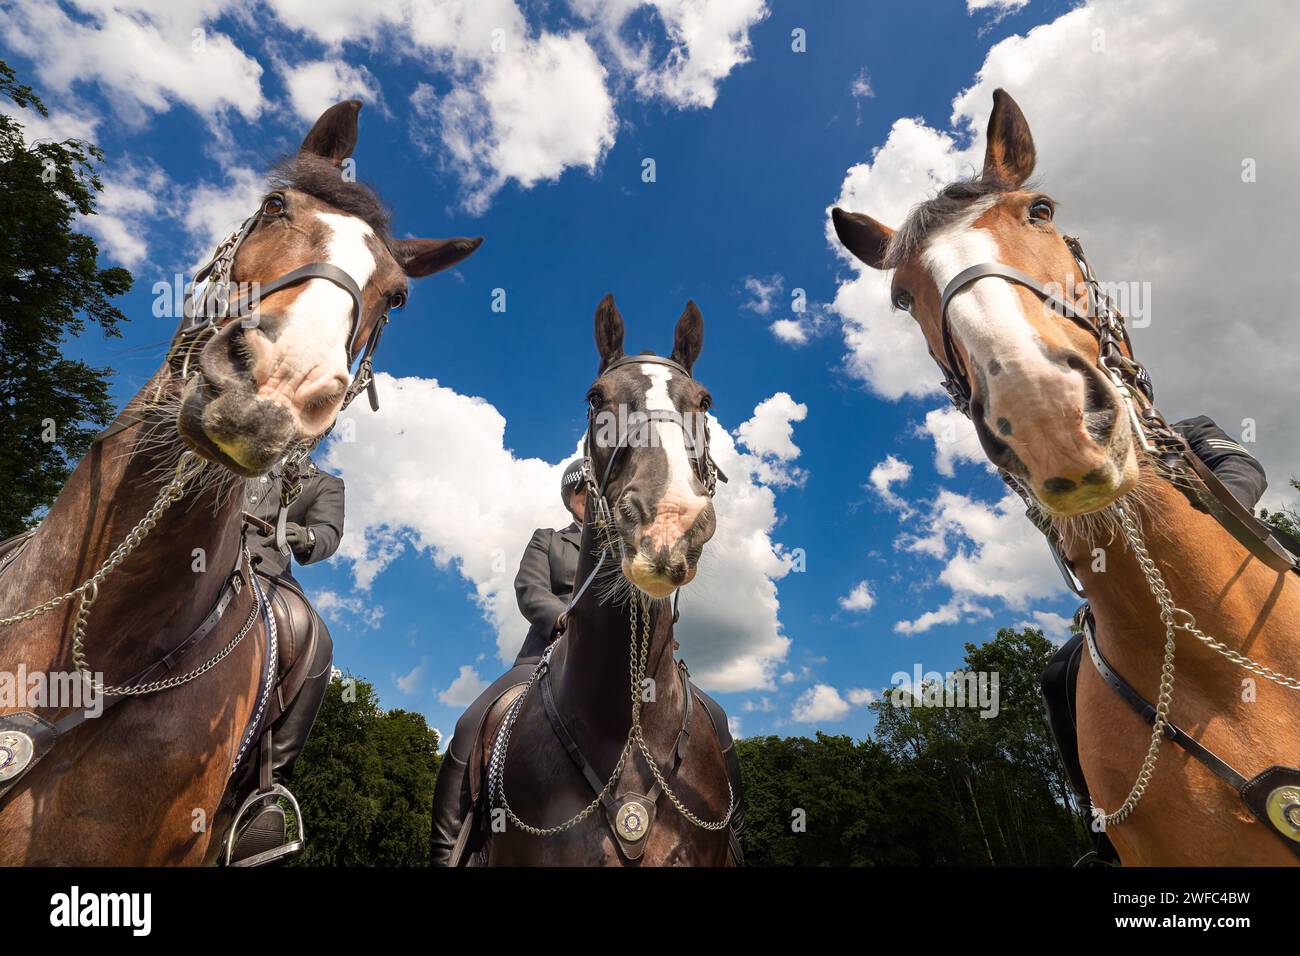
(1273, 795)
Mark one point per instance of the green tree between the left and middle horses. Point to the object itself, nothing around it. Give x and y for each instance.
(365, 782)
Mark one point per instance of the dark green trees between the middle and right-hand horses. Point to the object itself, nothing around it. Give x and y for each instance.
(933, 786)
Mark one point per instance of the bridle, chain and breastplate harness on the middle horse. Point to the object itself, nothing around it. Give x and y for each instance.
(632, 815)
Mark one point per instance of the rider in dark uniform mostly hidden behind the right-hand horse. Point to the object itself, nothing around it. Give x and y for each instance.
(1245, 478)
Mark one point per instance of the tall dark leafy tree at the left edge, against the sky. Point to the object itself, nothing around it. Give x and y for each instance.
(51, 285)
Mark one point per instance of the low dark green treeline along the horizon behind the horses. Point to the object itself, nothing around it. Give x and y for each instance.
(931, 788)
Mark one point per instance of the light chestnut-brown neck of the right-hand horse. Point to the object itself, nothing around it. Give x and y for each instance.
(1233, 596)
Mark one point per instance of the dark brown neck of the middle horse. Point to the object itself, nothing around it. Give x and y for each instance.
(592, 667)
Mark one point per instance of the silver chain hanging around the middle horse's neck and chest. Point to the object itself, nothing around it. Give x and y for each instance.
(639, 652)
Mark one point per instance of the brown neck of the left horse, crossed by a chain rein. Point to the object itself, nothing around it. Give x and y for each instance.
(168, 585)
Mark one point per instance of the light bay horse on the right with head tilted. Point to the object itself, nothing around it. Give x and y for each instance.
(1037, 356)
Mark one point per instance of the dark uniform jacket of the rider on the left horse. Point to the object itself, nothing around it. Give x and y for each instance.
(318, 508)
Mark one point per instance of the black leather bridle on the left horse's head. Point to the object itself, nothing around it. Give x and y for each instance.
(210, 308)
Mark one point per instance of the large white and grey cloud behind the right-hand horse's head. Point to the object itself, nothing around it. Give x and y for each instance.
(1191, 101)
